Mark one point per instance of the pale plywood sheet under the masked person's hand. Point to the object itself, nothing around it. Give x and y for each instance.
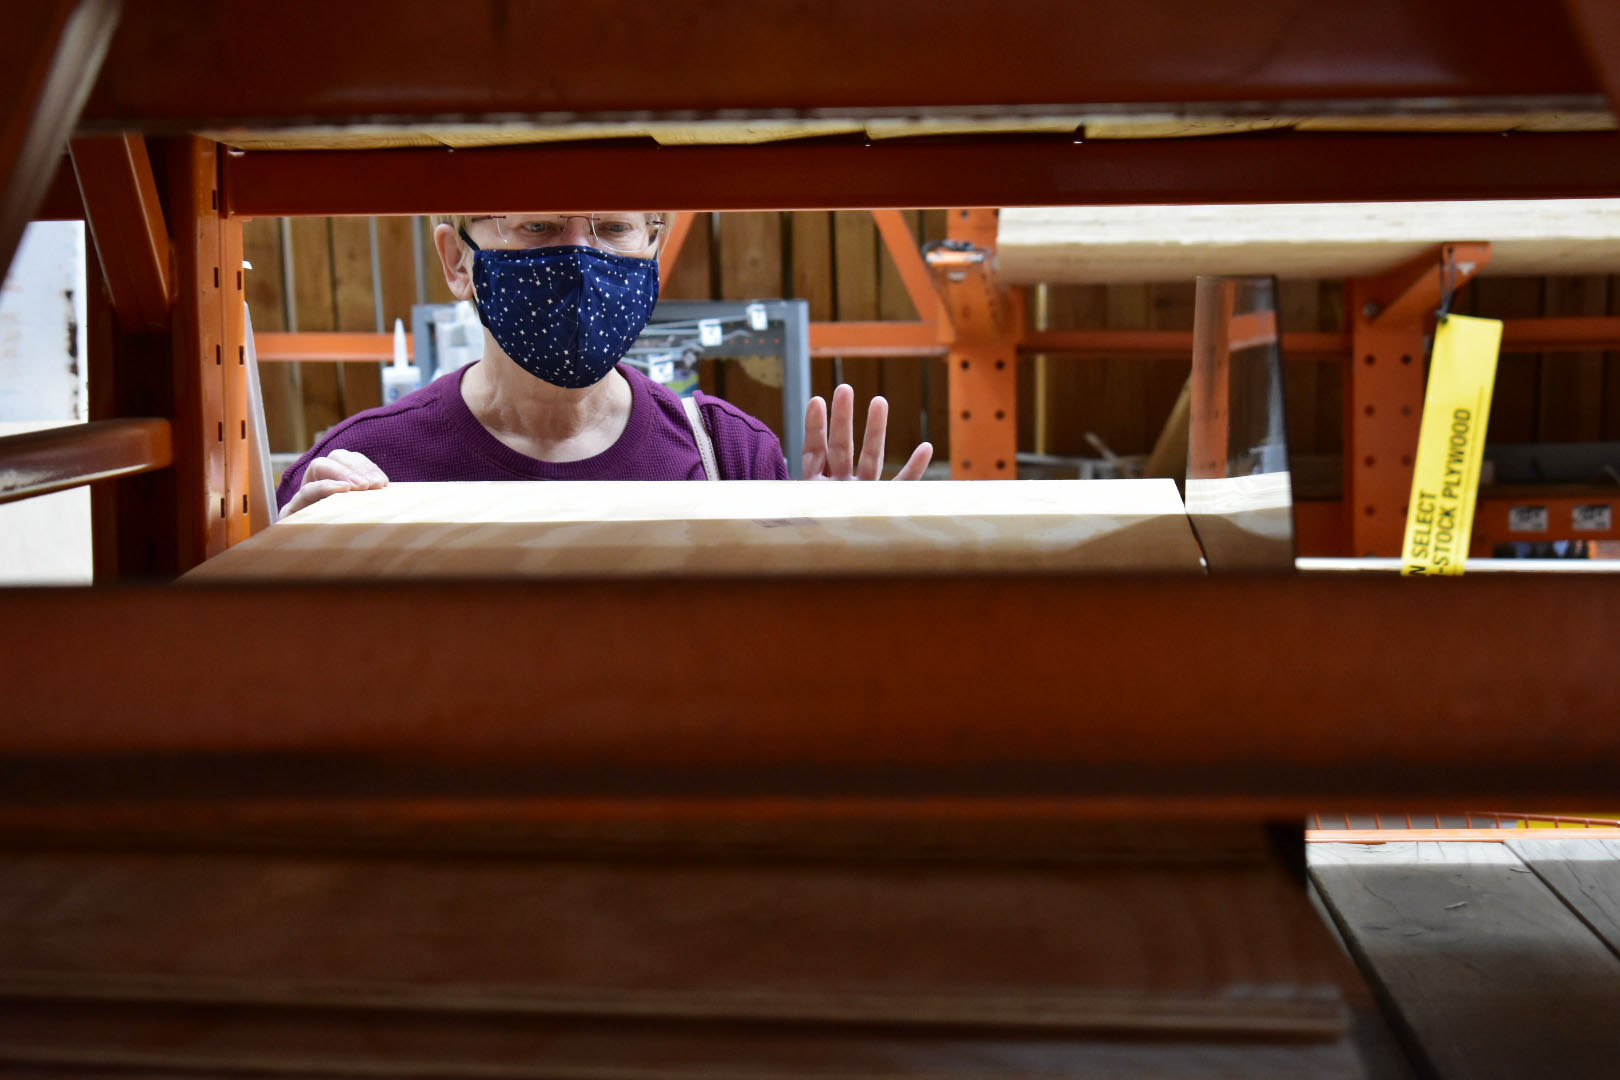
(728, 529)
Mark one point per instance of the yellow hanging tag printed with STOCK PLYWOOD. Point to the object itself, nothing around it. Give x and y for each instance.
(1451, 446)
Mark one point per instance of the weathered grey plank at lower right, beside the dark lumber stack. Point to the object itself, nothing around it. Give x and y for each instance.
(1486, 971)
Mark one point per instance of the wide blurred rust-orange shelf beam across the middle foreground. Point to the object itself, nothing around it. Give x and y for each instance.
(1289, 694)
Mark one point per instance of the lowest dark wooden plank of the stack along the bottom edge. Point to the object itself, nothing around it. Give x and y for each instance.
(197, 1040)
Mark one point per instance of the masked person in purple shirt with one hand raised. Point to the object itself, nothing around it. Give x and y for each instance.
(563, 297)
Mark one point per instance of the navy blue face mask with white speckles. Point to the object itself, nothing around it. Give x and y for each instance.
(565, 315)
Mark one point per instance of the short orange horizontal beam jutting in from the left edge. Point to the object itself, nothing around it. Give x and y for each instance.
(41, 462)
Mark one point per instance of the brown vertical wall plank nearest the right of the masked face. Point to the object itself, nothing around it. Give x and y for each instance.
(751, 268)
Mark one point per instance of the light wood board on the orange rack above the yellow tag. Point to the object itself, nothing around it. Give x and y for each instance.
(1177, 244)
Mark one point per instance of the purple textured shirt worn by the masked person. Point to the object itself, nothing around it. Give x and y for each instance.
(433, 436)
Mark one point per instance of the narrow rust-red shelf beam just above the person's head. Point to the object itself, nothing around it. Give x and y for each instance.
(924, 174)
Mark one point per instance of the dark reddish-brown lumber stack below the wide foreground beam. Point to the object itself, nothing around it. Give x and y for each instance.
(850, 950)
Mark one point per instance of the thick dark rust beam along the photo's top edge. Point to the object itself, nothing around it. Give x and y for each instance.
(297, 62)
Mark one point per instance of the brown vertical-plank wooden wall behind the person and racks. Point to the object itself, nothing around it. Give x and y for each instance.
(840, 266)
